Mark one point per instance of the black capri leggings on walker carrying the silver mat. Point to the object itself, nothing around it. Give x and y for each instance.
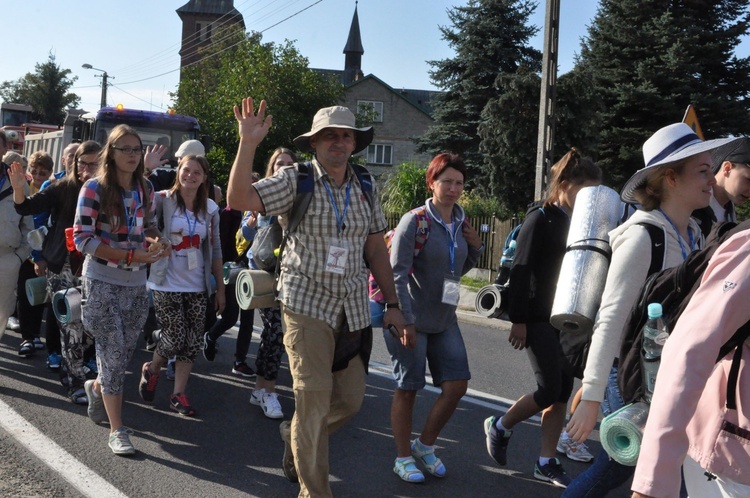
(545, 355)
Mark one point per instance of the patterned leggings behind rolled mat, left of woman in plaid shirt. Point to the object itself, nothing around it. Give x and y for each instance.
(74, 338)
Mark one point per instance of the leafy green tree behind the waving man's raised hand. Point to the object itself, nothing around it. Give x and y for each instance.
(238, 65)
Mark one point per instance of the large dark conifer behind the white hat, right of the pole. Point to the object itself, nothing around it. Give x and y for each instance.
(648, 60)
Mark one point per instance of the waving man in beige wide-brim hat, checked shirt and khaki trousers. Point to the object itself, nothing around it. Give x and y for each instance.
(323, 282)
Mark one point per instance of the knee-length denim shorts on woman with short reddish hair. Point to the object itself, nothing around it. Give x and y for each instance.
(445, 352)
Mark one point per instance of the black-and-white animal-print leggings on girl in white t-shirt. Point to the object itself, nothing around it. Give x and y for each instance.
(182, 316)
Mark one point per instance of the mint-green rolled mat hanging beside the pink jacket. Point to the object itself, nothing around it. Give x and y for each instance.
(621, 433)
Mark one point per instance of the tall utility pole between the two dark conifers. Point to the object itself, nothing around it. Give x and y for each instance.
(546, 136)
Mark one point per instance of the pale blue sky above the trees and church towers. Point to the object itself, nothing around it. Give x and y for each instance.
(137, 41)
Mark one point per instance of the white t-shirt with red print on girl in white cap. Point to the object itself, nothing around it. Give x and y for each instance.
(186, 236)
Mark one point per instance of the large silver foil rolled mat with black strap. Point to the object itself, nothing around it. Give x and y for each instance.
(584, 268)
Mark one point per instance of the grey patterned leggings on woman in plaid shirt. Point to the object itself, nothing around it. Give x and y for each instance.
(114, 315)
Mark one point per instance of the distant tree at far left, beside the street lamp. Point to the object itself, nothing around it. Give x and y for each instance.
(46, 90)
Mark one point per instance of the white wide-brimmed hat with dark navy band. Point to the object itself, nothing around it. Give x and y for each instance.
(668, 145)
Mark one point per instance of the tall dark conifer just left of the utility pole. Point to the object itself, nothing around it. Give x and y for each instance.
(490, 39)
